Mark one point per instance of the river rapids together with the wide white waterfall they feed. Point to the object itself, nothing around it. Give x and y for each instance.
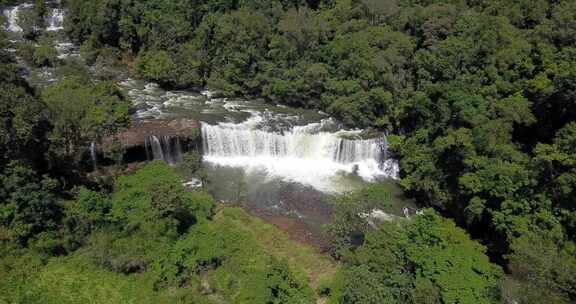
(292, 145)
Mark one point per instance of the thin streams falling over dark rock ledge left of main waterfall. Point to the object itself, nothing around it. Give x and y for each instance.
(166, 148)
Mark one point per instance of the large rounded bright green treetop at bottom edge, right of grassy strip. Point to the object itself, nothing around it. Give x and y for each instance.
(426, 260)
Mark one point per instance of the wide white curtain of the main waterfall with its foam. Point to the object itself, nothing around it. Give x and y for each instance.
(305, 154)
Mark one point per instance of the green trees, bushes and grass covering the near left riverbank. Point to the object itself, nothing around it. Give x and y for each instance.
(143, 239)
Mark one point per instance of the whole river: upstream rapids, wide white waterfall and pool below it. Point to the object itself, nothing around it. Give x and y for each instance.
(273, 159)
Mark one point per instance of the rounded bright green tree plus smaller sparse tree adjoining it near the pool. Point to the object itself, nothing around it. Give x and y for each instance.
(425, 259)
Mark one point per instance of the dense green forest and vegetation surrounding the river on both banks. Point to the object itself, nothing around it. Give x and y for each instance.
(480, 97)
